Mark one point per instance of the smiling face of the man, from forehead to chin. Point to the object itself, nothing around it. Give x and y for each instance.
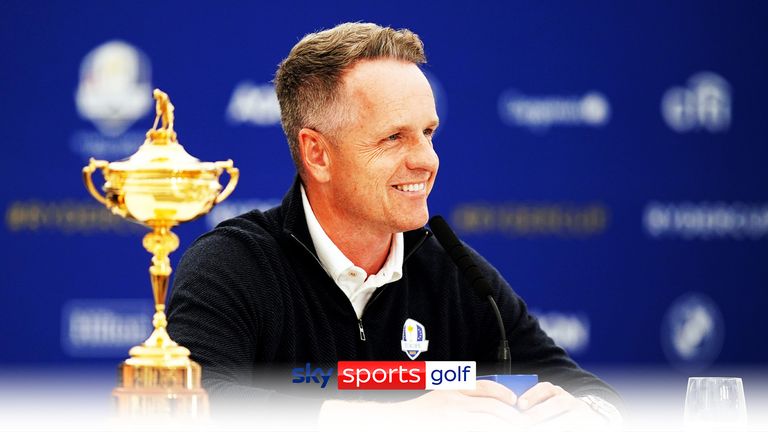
(383, 165)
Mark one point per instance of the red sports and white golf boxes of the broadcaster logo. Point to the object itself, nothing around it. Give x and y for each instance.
(405, 375)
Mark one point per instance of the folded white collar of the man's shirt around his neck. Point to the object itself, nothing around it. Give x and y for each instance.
(333, 260)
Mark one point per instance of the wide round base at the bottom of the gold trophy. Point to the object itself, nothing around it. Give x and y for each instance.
(170, 392)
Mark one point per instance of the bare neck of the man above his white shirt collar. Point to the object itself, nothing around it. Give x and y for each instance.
(366, 248)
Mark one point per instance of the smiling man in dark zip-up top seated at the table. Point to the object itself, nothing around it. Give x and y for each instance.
(334, 272)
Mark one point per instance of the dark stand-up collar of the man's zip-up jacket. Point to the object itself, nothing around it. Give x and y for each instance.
(294, 224)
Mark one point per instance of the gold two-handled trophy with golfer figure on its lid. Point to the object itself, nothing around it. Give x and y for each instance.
(160, 186)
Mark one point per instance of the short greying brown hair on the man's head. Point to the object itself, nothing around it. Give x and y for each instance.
(307, 82)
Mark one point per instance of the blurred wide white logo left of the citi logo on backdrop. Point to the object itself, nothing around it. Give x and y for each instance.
(542, 112)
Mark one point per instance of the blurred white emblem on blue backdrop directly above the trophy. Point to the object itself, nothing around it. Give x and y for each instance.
(113, 93)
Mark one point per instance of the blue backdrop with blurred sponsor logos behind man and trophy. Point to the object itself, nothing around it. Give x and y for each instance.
(607, 157)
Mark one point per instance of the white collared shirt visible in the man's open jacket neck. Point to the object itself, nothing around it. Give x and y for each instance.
(353, 280)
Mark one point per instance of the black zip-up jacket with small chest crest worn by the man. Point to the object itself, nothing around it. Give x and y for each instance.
(251, 295)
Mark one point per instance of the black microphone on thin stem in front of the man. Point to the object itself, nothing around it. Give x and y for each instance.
(477, 281)
